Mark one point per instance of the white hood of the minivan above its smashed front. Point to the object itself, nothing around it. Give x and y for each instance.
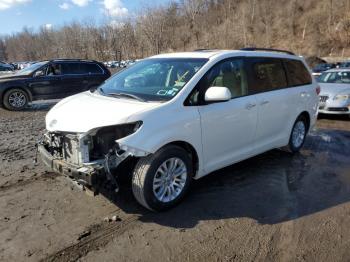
(85, 111)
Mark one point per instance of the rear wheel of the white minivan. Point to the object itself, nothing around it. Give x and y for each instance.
(298, 134)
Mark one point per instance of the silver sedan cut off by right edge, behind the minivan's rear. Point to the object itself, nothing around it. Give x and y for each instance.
(335, 92)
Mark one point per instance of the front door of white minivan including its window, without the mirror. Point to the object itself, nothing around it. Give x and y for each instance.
(228, 128)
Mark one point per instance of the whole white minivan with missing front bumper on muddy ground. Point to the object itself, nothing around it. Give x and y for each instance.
(173, 118)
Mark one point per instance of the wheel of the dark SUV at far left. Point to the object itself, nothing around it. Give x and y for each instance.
(15, 99)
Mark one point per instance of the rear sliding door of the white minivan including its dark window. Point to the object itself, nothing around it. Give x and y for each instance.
(276, 103)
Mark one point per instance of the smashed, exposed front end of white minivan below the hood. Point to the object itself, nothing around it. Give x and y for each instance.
(91, 159)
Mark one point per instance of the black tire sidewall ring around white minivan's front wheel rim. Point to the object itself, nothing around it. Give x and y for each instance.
(159, 159)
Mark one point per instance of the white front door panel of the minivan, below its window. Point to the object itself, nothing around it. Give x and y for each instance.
(228, 131)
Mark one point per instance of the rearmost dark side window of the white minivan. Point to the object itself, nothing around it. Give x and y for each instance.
(297, 73)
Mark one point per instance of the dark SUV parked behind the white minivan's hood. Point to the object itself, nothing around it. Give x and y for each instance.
(50, 80)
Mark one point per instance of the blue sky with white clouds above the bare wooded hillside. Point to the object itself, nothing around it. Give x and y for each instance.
(15, 14)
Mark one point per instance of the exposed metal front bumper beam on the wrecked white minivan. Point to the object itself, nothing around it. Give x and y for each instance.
(88, 175)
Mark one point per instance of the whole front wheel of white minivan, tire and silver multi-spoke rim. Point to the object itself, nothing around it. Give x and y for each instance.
(161, 180)
